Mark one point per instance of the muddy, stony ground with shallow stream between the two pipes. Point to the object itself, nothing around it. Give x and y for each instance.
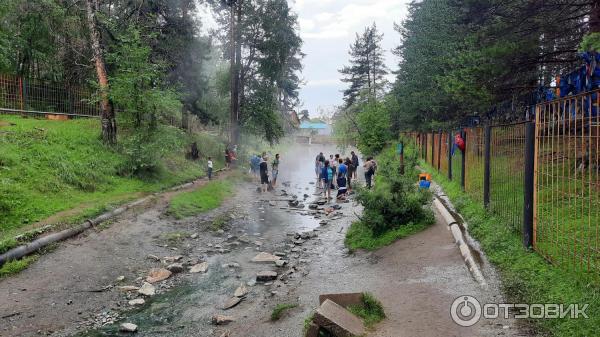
(74, 289)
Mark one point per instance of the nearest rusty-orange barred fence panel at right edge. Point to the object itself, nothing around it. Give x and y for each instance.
(567, 181)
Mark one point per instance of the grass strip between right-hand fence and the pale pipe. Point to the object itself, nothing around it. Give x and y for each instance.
(526, 276)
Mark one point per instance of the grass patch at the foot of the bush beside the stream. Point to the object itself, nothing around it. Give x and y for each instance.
(359, 236)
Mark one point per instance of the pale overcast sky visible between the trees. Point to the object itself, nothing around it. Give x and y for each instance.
(328, 27)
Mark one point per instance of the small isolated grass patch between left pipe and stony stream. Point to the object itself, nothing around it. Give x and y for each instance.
(201, 200)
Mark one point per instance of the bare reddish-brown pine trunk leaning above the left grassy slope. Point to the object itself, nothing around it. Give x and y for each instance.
(109, 123)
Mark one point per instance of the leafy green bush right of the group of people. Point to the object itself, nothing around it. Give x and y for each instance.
(395, 200)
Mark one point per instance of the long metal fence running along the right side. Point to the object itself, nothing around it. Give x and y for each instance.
(540, 178)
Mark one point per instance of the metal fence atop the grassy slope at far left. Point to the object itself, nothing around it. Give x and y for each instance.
(32, 96)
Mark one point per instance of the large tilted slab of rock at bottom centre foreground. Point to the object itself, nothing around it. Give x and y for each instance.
(337, 320)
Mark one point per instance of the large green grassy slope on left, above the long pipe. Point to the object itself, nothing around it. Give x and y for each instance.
(52, 166)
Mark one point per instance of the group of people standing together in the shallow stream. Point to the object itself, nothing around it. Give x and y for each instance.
(338, 173)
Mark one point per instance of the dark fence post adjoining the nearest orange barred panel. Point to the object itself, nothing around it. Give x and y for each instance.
(528, 205)
